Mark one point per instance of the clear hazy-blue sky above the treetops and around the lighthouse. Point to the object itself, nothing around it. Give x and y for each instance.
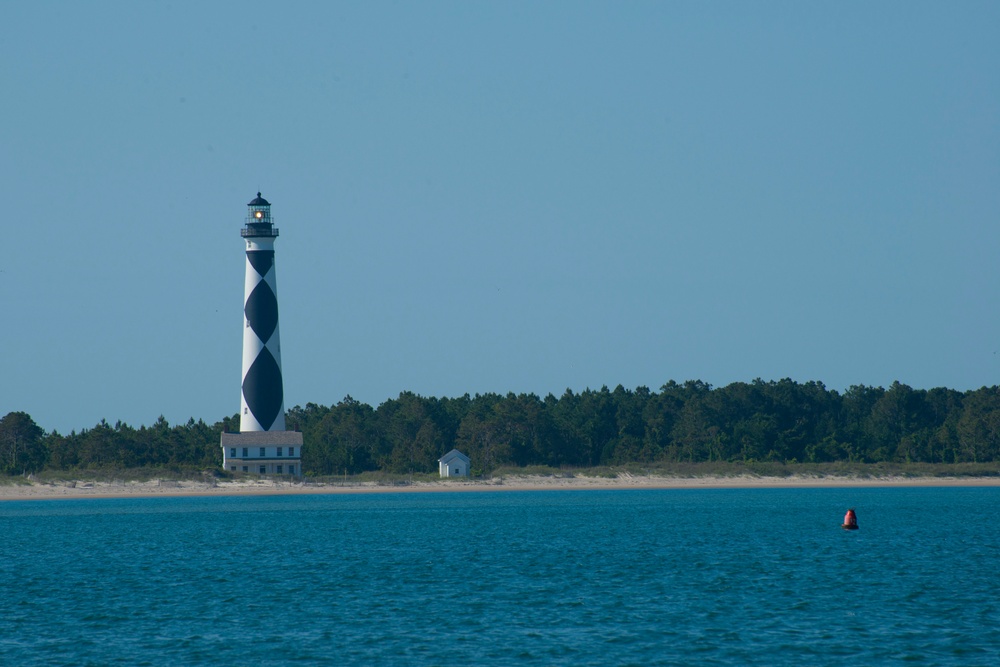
(481, 197)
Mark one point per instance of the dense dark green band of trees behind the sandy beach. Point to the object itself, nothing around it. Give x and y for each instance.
(775, 421)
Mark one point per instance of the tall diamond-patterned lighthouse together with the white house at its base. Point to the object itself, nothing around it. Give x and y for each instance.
(262, 446)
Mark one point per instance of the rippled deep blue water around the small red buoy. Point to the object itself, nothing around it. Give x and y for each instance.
(666, 577)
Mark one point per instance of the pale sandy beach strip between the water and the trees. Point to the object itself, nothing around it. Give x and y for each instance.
(267, 487)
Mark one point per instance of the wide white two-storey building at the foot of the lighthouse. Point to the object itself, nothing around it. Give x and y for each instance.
(263, 452)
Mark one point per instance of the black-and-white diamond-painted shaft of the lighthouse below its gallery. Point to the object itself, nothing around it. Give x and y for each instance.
(263, 394)
